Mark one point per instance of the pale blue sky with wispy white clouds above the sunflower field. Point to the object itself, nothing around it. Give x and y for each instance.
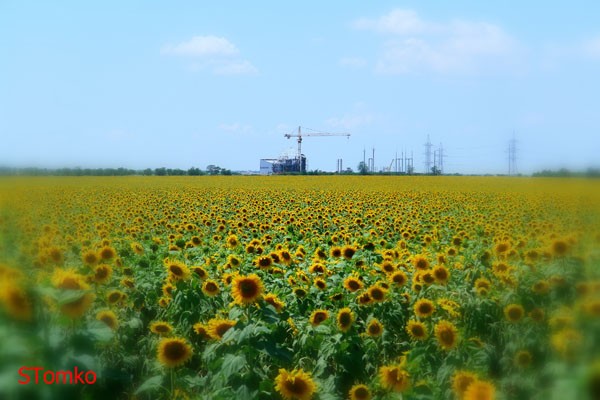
(178, 84)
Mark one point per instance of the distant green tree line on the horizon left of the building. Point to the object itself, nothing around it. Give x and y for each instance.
(193, 171)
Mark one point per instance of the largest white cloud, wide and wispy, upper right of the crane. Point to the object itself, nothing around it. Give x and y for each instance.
(413, 44)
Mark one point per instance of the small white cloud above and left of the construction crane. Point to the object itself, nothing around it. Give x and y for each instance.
(215, 54)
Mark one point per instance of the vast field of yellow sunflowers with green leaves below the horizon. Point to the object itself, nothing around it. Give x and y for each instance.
(339, 287)
